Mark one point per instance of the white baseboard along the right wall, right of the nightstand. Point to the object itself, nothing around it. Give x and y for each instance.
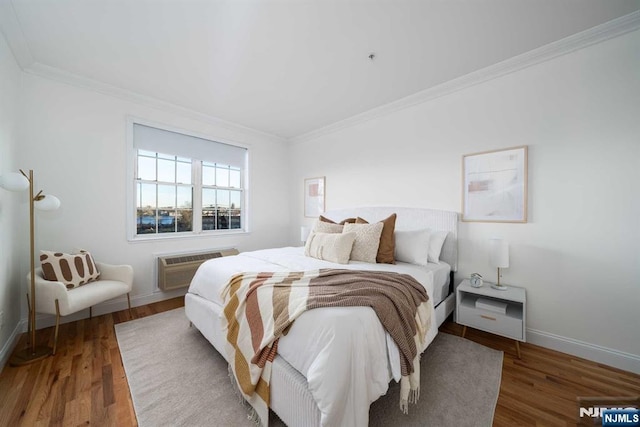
(617, 359)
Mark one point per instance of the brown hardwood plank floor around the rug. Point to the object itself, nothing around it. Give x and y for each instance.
(85, 384)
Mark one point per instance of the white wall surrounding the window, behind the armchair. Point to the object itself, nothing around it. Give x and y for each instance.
(75, 140)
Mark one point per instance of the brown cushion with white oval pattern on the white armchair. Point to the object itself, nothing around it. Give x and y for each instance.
(71, 269)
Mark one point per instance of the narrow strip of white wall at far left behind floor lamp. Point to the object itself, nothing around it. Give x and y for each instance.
(10, 290)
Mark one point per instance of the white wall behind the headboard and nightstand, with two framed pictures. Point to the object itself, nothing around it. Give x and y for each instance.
(579, 254)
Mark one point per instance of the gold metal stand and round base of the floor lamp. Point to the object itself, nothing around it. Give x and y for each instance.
(33, 352)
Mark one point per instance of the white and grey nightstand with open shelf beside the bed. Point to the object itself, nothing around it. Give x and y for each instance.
(499, 312)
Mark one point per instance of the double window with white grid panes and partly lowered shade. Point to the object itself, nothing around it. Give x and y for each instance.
(186, 185)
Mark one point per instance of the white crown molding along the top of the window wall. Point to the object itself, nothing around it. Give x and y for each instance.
(53, 73)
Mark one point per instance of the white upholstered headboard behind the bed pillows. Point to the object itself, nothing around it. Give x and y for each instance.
(412, 219)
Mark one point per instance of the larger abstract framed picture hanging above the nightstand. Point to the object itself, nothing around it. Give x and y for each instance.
(495, 186)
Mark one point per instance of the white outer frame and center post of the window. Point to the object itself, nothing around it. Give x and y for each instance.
(196, 169)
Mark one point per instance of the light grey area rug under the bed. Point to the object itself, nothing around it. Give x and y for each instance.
(177, 378)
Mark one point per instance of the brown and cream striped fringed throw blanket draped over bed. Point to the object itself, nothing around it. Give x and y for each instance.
(259, 307)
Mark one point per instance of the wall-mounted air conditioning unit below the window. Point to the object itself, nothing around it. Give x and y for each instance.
(176, 271)
